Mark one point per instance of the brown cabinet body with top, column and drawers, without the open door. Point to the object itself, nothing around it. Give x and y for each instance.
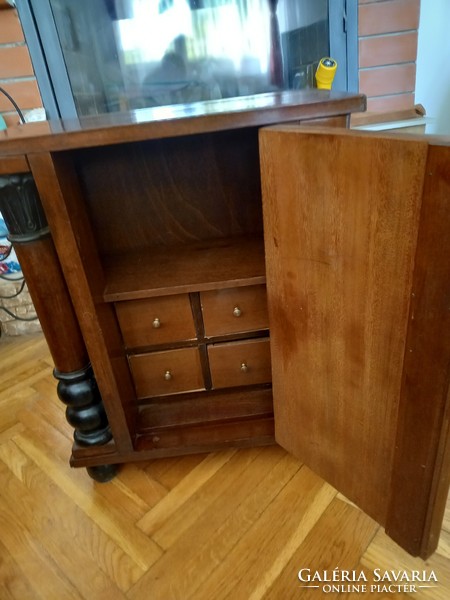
(154, 302)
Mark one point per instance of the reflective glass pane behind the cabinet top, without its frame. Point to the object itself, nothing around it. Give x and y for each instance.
(127, 54)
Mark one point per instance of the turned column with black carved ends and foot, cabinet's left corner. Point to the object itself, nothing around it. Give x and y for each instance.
(28, 231)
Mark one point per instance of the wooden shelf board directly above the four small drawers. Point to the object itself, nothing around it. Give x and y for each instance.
(164, 270)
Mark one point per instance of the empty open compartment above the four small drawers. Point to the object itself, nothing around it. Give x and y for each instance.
(175, 214)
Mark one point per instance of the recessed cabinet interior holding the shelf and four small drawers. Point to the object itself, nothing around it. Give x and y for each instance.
(178, 217)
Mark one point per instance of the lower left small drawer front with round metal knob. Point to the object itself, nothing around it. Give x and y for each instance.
(169, 372)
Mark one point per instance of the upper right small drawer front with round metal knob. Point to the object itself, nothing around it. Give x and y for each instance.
(233, 310)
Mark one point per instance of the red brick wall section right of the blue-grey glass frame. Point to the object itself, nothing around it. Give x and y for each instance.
(388, 34)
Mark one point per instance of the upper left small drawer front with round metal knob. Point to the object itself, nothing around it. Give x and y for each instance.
(155, 320)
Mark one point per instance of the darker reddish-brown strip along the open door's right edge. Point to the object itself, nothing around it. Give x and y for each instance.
(421, 472)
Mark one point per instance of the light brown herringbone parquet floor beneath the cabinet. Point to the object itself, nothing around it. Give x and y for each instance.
(235, 525)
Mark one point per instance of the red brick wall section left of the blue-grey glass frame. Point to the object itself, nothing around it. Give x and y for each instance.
(16, 73)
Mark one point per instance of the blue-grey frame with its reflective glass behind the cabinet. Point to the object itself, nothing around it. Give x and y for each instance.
(71, 44)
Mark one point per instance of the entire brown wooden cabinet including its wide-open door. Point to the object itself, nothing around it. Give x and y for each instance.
(159, 265)
